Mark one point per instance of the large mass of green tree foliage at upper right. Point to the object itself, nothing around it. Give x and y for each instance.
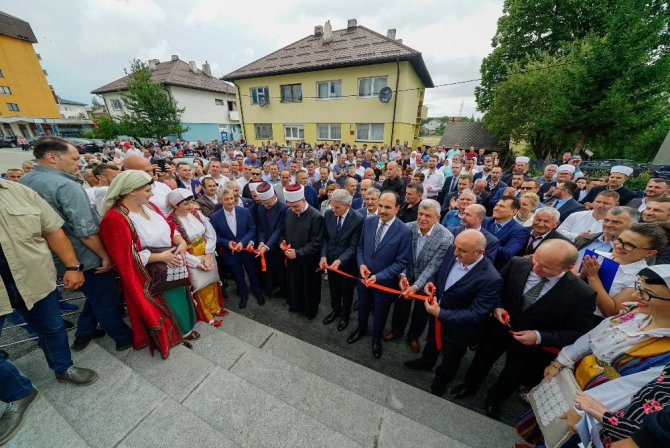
(605, 86)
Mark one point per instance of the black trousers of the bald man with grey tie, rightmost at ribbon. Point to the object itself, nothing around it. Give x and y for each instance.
(524, 365)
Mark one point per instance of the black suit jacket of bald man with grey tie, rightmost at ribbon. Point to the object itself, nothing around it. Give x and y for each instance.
(562, 315)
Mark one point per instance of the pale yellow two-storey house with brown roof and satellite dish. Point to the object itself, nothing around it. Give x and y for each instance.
(352, 86)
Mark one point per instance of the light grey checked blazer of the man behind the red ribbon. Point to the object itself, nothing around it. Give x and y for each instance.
(420, 270)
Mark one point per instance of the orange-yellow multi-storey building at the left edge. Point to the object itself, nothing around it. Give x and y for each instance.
(27, 103)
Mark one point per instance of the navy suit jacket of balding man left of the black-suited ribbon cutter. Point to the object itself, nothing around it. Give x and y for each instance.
(466, 304)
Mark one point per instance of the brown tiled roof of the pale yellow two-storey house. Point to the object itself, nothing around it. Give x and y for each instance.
(349, 47)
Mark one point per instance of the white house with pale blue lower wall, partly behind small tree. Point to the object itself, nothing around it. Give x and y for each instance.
(210, 104)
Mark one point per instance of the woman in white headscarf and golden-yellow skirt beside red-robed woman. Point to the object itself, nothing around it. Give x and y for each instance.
(200, 236)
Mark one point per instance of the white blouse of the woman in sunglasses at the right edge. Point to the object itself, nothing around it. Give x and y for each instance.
(611, 337)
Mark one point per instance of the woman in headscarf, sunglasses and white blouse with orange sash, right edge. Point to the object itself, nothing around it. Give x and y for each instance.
(632, 347)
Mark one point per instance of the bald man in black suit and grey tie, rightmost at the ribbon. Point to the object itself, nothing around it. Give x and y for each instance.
(542, 305)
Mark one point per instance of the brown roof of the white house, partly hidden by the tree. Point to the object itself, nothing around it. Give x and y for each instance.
(175, 73)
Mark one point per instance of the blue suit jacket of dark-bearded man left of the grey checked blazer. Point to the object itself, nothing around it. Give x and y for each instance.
(392, 255)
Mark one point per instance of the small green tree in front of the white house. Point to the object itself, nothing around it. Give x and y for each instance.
(152, 111)
